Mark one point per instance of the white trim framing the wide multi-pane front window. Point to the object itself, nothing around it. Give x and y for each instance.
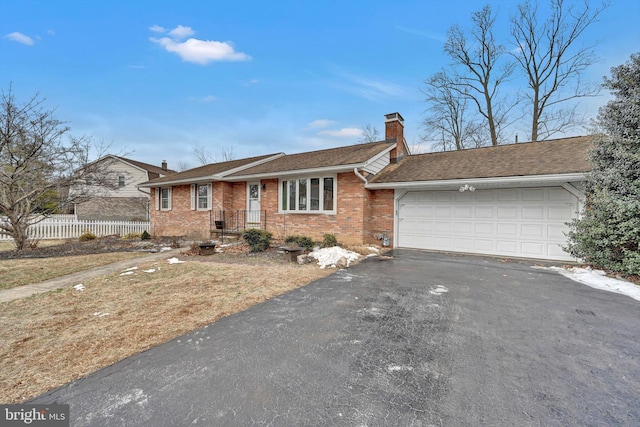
(308, 210)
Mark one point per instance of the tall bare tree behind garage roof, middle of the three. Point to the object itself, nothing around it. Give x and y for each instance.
(483, 70)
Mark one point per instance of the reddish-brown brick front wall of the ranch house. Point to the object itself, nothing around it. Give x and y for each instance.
(361, 215)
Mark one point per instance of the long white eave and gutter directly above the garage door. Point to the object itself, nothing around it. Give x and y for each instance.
(483, 183)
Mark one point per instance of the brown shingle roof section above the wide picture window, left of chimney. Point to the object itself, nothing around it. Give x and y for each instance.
(341, 156)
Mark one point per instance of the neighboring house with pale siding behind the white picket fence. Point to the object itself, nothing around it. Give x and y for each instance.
(125, 201)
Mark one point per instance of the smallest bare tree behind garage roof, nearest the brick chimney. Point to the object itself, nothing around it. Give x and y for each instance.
(448, 125)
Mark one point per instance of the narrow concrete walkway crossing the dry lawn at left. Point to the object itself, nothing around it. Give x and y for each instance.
(76, 278)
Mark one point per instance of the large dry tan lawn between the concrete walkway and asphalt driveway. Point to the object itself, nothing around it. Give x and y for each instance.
(51, 339)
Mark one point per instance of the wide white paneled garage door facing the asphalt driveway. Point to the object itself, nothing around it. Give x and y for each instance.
(523, 222)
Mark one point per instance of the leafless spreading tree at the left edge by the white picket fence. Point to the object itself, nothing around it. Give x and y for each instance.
(39, 162)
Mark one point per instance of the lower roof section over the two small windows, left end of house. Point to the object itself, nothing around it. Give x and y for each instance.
(212, 171)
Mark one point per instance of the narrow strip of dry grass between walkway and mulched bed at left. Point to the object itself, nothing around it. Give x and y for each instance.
(18, 272)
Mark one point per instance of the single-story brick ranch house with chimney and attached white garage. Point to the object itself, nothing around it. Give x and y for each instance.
(510, 200)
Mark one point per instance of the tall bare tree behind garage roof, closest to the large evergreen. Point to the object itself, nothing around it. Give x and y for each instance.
(553, 64)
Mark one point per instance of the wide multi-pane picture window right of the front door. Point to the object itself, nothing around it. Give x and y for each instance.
(308, 195)
